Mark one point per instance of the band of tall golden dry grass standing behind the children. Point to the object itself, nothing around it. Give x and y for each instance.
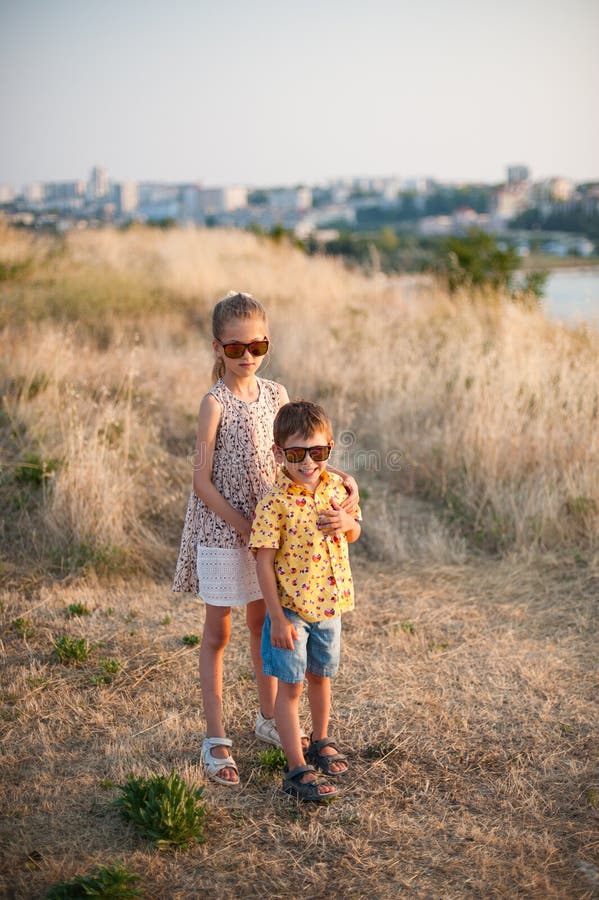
(485, 407)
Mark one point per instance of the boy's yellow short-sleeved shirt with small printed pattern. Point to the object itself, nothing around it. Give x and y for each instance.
(311, 568)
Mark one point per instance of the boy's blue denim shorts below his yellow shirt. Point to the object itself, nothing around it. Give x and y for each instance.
(317, 649)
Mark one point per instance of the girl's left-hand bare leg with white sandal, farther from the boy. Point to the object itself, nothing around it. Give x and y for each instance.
(217, 629)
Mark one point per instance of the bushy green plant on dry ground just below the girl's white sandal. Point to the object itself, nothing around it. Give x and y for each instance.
(164, 809)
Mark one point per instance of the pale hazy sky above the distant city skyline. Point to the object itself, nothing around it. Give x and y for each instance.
(274, 92)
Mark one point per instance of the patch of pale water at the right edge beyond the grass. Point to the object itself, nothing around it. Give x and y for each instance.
(573, 295)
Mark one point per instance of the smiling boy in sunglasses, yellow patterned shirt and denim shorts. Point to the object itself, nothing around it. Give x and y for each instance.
(300, 535)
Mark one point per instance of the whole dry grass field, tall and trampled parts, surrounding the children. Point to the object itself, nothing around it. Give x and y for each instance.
(467, 697)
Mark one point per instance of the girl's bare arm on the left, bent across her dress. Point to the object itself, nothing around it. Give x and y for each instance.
(203, 486)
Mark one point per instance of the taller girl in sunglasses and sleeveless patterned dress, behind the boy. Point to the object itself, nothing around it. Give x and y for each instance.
(233, 467)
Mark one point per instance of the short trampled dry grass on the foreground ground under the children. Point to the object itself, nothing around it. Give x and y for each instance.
(467, 701)
